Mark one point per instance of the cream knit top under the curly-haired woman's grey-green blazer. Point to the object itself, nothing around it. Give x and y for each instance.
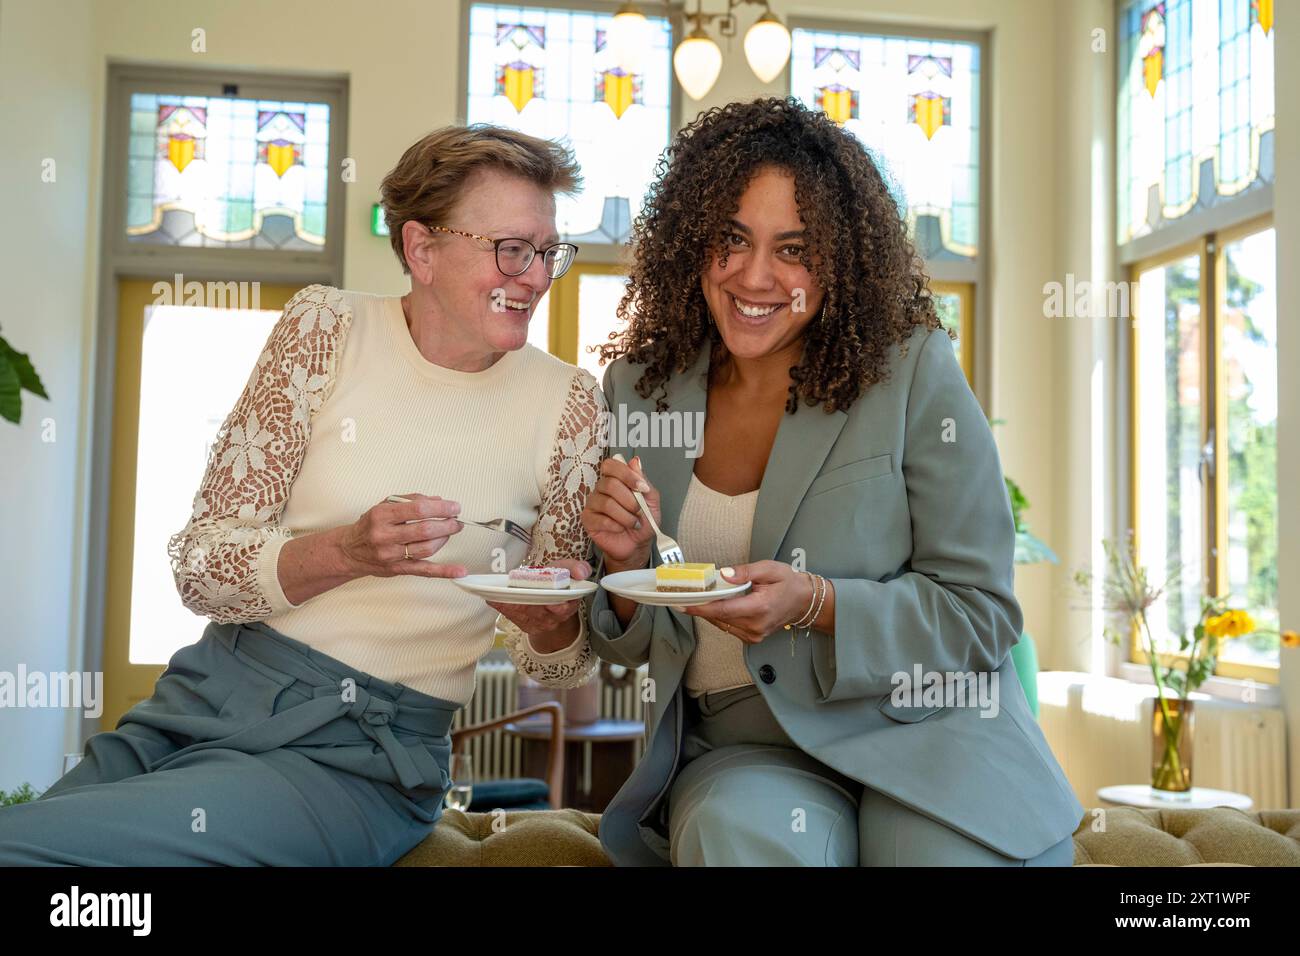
(716, 527)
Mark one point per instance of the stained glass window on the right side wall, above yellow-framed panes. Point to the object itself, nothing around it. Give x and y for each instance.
(1195, 107)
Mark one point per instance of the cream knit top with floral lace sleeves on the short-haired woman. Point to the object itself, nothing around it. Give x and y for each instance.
(344, 410)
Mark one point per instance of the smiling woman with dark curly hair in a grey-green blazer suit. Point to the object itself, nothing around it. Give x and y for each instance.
(850, 475)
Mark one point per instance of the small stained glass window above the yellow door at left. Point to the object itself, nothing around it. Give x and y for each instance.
(226, 172)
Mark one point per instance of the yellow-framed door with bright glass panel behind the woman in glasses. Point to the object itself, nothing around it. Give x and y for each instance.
(180, 371)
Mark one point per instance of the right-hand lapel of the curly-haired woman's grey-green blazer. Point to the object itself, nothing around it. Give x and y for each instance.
(803, 443)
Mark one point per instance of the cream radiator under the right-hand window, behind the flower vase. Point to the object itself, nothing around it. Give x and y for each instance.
(1100, 732)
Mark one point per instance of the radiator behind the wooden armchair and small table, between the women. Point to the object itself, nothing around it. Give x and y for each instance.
(497, 755)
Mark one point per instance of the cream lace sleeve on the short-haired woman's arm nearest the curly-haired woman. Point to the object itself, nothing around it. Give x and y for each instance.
(560, 533)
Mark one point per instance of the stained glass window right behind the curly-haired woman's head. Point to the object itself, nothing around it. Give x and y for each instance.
(916, 105)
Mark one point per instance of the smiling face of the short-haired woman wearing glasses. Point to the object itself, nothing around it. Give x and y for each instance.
(491, 310)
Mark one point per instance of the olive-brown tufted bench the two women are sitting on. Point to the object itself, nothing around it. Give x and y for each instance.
(1119, 837)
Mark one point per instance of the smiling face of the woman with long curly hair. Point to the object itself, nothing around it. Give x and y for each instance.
(764, 297)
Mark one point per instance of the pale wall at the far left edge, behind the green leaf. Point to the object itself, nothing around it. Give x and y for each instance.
(46, 257)
